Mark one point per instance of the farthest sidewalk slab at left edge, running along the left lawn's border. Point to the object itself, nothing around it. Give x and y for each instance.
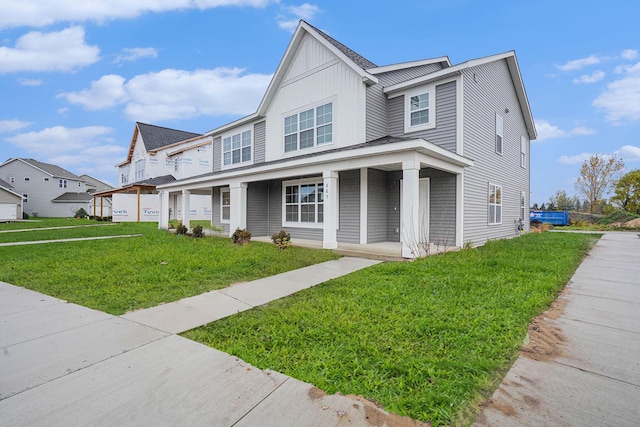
(51, 318)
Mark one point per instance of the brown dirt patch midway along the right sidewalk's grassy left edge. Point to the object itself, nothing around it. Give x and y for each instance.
(545, 340)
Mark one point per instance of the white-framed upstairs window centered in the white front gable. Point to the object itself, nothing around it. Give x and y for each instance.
(312, 126)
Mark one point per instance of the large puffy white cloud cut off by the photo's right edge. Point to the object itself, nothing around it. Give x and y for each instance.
(621, 99)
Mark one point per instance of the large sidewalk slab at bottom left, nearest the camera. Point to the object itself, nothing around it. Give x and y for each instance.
(172, 381)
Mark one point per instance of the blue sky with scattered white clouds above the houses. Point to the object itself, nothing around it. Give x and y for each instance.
(75, 76)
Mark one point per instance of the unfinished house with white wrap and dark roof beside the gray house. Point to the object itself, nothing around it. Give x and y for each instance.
(158, 155)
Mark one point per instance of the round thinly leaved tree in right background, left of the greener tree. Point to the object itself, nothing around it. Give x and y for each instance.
(597, 175)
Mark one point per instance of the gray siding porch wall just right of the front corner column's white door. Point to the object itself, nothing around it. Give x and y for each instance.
(442, 206)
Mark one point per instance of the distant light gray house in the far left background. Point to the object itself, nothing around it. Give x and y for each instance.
(46, 190)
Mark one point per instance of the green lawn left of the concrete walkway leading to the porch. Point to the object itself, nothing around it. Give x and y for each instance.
(119, 275)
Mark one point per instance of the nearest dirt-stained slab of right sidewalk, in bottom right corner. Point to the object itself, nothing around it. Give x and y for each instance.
(551, 394)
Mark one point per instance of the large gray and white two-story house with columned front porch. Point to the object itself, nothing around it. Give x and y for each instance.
(341, 150)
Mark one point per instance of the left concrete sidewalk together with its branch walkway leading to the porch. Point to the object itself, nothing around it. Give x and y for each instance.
(63, 364)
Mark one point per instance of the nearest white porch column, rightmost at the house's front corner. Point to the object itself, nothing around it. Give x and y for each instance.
(410, 210)
